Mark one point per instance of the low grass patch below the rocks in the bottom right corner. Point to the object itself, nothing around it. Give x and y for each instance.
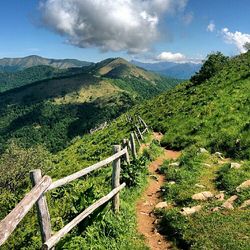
(208, 231)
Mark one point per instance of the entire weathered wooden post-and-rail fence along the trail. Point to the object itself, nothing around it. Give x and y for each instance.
(41, 185)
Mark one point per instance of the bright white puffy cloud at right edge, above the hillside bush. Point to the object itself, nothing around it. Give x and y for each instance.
(238, 39)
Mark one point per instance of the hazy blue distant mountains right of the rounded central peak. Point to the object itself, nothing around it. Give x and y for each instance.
(171, 69)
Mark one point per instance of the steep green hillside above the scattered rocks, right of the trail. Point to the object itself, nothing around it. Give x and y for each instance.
(214, 114)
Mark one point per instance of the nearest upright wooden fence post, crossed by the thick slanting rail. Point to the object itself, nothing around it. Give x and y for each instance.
(42, 208)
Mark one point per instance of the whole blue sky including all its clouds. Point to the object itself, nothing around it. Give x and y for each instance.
(144, 30)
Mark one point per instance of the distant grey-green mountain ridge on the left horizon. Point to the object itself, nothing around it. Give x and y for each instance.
(17, 64)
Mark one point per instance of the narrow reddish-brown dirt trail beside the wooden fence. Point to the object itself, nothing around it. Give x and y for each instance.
(152, 195)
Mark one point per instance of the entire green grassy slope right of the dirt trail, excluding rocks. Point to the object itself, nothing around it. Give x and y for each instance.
(214, 114)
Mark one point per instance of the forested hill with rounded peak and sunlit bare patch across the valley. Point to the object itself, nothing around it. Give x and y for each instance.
(52, 112)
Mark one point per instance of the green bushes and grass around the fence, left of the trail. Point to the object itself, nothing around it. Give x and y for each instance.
(99, 230)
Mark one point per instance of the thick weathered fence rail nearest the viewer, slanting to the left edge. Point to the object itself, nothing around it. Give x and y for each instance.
(10, 222)
